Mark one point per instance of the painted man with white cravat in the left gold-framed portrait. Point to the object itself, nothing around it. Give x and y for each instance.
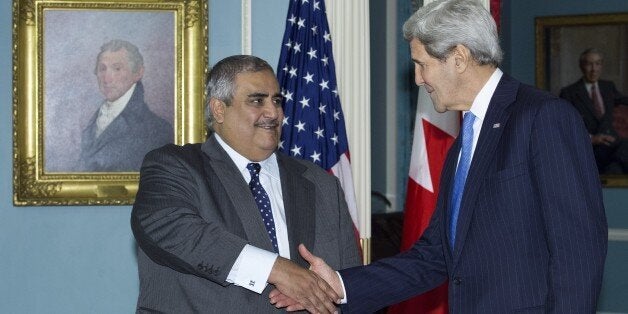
(123, 129)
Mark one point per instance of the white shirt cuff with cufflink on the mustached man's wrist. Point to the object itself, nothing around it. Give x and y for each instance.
(252, 268)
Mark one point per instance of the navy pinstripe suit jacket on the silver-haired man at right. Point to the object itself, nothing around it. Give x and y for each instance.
(532, 233)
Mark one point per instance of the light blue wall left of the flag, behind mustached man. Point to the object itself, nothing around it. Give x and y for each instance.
(82, 259)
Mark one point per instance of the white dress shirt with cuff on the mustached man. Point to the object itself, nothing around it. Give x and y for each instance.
(252, 267)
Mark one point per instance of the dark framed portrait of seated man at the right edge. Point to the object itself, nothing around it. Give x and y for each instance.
(560, 41)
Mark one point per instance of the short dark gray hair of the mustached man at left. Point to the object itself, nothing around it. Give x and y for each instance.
(221, 80)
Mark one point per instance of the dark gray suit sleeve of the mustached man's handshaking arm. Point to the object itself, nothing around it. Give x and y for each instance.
(168, 226)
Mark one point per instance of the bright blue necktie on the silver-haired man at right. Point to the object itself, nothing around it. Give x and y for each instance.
(461, 174)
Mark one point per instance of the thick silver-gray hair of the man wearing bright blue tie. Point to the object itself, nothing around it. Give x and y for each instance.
(441, 25)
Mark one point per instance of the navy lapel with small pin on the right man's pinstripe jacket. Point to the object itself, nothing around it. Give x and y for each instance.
(492, 127)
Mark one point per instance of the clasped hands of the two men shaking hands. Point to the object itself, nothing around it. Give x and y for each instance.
(317, 290)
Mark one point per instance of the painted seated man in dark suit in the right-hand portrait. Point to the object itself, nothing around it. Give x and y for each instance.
(595, 100)
